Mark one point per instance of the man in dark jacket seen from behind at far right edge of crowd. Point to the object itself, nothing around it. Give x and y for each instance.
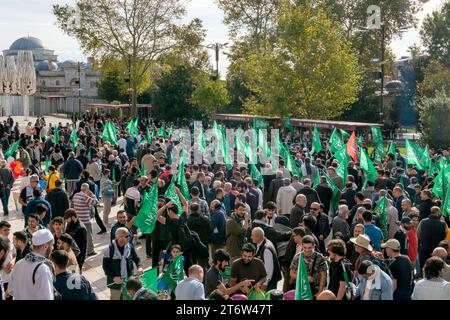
(430, 232)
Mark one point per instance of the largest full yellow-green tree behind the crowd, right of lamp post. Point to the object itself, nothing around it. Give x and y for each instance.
(311, 72)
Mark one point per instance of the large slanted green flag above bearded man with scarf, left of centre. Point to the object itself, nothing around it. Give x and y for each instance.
(146, 217)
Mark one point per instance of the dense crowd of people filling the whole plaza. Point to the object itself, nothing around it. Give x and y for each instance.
(234, 236)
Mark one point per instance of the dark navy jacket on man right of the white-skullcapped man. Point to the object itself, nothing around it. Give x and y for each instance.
(73, 286)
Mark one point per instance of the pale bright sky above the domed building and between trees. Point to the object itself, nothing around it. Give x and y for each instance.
(20, 18)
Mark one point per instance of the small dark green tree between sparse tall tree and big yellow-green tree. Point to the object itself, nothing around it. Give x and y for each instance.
(172, 92)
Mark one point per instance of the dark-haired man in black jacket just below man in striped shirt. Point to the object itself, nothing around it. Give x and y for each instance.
(76, 229)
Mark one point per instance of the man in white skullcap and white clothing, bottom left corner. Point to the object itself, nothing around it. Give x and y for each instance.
(32, 277)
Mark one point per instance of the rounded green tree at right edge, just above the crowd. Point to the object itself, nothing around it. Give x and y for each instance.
(435, 117)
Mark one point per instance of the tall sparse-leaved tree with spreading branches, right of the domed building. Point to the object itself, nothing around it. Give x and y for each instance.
(136, 32)
